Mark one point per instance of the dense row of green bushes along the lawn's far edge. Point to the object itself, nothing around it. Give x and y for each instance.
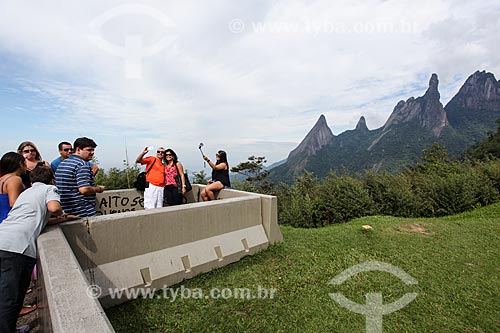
(435, 187)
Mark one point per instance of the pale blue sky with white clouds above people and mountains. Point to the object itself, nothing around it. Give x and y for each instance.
(250, 77)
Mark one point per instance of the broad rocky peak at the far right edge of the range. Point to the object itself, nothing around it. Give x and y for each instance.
(480, 91)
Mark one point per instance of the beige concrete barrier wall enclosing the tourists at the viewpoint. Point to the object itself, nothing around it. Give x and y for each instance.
(127, 247)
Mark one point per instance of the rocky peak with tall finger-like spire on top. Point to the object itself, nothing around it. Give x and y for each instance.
(427, 110)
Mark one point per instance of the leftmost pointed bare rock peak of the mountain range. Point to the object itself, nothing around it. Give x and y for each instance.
(318, 137)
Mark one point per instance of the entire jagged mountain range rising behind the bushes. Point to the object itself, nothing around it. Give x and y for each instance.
(413, 125)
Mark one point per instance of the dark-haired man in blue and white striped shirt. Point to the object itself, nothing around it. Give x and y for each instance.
(75, 180)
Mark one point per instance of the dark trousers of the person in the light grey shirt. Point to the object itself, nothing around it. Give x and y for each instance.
(15, 273)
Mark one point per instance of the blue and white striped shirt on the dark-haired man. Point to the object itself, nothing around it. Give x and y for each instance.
(72, 174)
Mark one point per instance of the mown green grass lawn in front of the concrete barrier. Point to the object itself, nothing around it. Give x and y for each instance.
(457, 266)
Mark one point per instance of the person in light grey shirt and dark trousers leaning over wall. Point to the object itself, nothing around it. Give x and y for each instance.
(18, 234)
